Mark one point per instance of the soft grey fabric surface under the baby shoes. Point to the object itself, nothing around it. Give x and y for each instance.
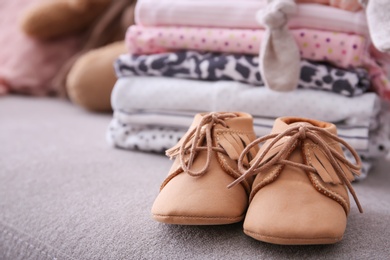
(65, 194)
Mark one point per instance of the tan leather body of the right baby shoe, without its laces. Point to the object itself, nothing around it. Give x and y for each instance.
(290, 205)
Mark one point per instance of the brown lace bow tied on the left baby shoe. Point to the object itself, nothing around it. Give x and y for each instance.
(202, 130)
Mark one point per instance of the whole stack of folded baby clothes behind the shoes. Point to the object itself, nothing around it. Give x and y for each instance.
(187, 57)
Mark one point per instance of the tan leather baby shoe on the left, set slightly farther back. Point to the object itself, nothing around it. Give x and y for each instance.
(195, 191)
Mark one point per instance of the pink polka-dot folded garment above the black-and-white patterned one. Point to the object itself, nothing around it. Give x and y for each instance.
(343, 50)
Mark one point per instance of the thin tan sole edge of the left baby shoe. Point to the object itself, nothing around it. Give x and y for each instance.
(196, 220)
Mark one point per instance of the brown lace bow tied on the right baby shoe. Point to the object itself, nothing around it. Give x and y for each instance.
(296, 134)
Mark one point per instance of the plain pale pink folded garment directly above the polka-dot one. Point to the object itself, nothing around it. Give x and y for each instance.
(241, 14)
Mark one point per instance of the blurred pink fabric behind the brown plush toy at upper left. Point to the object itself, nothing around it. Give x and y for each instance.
(27, 66)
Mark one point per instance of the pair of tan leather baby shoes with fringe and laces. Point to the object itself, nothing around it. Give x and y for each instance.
(291, 190)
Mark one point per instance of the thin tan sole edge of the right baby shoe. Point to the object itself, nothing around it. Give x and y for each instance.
(293, 241)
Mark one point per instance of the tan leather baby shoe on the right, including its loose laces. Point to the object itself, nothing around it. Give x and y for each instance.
(299, 195)
